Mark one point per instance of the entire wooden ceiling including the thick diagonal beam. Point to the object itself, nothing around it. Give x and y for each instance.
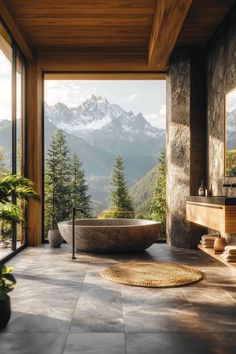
(119, 30)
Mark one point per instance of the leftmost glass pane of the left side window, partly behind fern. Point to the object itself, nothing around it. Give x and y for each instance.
(6, 57)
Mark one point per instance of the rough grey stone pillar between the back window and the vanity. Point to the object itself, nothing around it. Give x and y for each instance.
(186, 143)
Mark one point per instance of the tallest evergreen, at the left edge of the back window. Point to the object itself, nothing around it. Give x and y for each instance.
(57, 182)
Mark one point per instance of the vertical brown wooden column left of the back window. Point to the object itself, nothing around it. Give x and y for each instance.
(34, 149)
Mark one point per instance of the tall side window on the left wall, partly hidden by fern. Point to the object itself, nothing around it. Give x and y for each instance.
(12, 121)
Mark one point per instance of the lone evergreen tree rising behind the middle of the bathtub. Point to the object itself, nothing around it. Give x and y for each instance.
(120, 200)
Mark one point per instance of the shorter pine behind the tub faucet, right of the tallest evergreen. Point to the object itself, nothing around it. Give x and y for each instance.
(79, 187)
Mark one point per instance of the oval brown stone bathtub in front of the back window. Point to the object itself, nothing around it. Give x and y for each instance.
(111, 235)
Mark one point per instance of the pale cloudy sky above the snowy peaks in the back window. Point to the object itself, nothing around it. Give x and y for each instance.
(145, 96)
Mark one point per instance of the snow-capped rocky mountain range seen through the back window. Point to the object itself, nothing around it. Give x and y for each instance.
(107, 126)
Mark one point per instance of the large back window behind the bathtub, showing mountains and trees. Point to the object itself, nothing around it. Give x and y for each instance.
(88, 124)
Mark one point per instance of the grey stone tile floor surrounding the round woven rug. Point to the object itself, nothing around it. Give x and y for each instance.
(64, 306)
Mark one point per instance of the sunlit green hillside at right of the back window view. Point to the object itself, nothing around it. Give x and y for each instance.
(142, 191)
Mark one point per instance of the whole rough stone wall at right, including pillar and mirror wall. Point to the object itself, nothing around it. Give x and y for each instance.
(196, 85)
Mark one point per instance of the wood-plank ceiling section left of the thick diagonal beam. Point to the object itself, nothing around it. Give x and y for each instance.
(85, 23)
